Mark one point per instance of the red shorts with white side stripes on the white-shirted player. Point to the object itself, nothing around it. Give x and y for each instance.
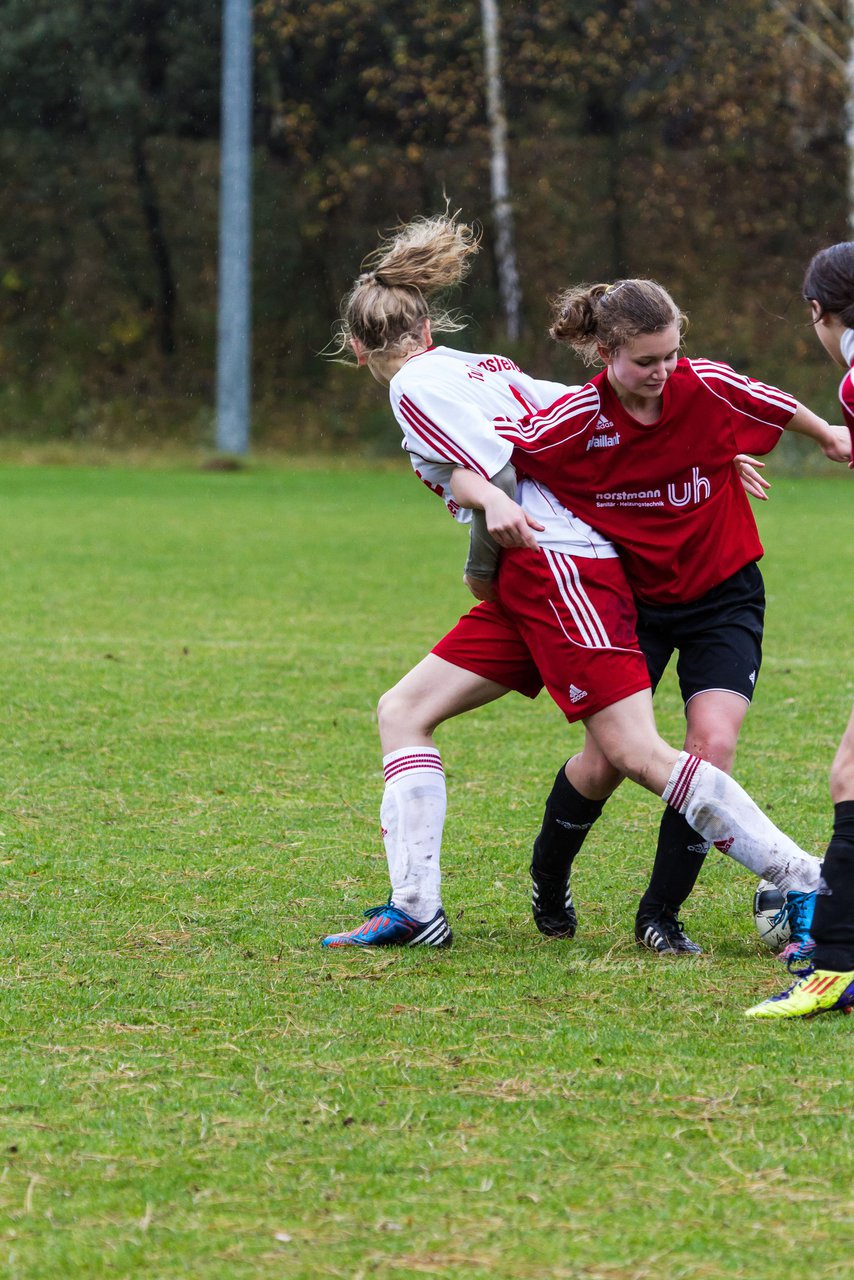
(560, 621)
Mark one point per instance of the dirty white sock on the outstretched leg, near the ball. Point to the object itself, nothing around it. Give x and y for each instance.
(723, 812)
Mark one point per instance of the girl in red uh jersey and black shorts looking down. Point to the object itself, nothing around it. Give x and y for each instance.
(645, 454)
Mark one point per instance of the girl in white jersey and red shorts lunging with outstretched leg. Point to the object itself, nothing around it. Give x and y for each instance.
(563, 618)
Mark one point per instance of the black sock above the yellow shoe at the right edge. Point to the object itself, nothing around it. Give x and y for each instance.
(834, 922)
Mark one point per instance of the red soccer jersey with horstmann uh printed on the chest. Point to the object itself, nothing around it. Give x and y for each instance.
(668, 493)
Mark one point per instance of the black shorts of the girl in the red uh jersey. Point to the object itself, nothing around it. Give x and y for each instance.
(719, 637)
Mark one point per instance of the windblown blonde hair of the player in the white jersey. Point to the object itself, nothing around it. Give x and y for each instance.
(403, 284)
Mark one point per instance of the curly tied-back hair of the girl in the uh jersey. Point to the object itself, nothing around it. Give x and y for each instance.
(590, 317)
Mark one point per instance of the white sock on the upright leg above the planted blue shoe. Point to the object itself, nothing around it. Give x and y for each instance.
(413, 817)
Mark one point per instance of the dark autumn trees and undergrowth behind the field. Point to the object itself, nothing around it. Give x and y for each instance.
(700, 144)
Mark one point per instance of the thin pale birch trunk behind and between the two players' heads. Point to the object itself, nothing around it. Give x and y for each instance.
(501, 205)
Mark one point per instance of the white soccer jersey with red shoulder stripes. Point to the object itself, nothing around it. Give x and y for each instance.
(450, 406)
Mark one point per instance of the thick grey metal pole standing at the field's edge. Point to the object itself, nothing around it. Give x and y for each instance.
(234, 327)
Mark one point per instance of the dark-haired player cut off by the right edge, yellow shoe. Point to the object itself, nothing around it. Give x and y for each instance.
(828, 984)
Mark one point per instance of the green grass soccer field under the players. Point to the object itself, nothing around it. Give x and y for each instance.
(191, 1087)
